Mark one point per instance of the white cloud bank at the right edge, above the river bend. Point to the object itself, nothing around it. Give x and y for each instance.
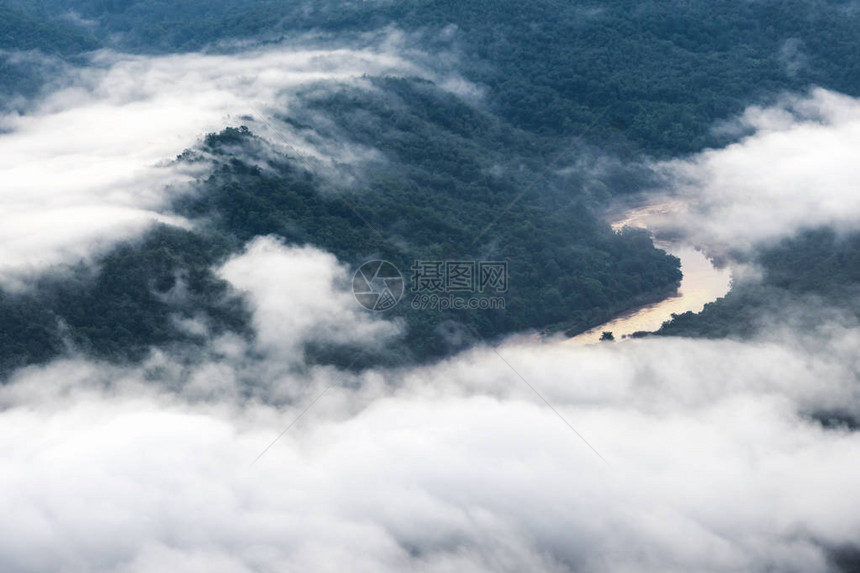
(798, 169)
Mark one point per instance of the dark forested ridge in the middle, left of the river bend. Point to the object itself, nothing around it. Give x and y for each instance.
(438, 195)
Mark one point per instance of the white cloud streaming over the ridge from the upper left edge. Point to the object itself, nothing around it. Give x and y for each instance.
(85, 167)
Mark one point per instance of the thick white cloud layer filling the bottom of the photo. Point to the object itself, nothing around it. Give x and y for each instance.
(455, 467)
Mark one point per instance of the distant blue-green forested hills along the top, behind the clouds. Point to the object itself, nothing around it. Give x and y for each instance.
(641, 76)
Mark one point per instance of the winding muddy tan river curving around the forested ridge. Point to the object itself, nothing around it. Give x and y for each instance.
(702, 282)
